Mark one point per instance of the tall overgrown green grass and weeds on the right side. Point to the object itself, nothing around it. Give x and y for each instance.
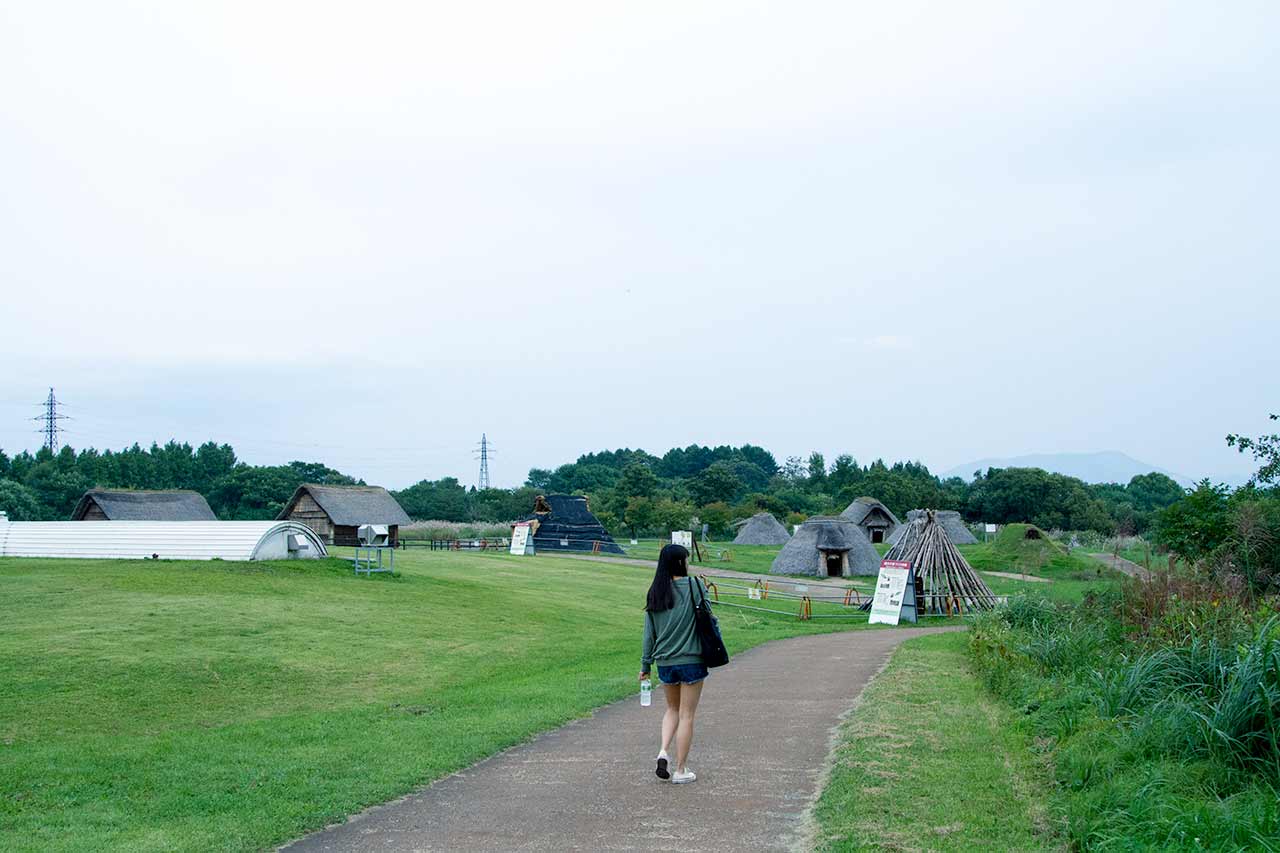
(1159, 711)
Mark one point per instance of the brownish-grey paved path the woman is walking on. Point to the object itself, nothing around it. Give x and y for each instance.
(765, 731)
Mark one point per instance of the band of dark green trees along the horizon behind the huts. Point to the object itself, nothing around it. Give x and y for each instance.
(629, 490)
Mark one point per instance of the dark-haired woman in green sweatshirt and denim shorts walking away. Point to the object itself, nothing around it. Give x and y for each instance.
(671, 641)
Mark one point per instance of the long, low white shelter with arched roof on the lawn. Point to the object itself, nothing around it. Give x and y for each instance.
(161, 540)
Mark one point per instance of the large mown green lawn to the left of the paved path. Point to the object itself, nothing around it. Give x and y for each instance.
(218, 706)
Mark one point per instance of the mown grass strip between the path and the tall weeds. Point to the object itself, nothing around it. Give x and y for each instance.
(930, 761)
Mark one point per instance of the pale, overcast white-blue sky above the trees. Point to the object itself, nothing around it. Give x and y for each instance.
(364, 234)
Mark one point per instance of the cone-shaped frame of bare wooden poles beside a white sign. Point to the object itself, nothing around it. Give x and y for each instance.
(947, 581)
